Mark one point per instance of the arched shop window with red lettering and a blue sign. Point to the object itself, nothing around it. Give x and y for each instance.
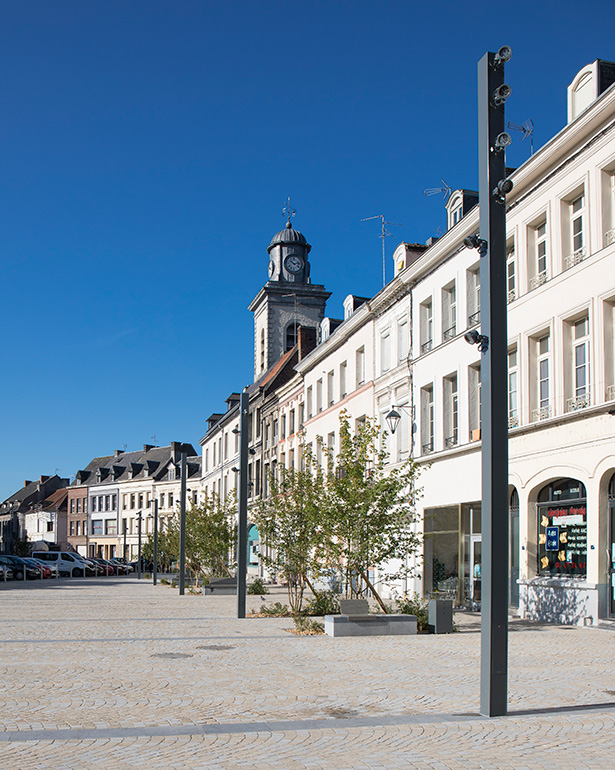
(562, 528)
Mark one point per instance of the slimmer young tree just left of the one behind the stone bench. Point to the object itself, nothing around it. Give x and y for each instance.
(290, 526)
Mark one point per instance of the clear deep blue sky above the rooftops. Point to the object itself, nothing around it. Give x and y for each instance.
(148, 147)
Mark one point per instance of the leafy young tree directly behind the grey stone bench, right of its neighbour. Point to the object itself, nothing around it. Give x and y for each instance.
(370, 510)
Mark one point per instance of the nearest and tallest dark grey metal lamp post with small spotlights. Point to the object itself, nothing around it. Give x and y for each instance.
(493, 344)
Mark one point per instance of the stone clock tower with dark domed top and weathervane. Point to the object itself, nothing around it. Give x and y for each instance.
(288, 300)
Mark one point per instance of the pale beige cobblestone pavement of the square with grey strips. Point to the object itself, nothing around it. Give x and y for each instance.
(116, 673)
